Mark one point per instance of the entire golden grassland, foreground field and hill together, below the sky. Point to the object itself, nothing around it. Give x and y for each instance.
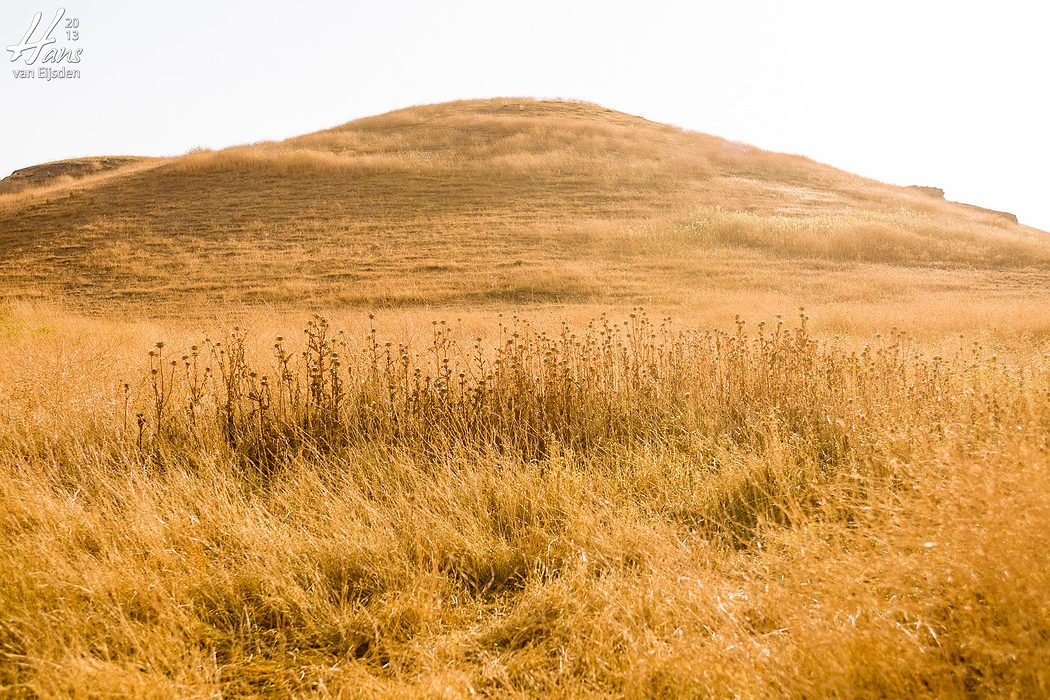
(516, 398)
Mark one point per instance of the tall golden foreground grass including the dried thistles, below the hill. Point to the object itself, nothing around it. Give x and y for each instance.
(618, 507)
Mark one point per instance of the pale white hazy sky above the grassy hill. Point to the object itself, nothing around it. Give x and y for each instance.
(953, 95)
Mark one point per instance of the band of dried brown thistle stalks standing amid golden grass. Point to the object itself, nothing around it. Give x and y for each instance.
(536, 393)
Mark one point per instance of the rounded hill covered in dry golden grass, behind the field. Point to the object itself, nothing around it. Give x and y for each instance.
(497, 200)
